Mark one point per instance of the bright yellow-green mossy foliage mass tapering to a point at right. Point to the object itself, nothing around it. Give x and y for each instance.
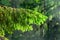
(19, 19)
